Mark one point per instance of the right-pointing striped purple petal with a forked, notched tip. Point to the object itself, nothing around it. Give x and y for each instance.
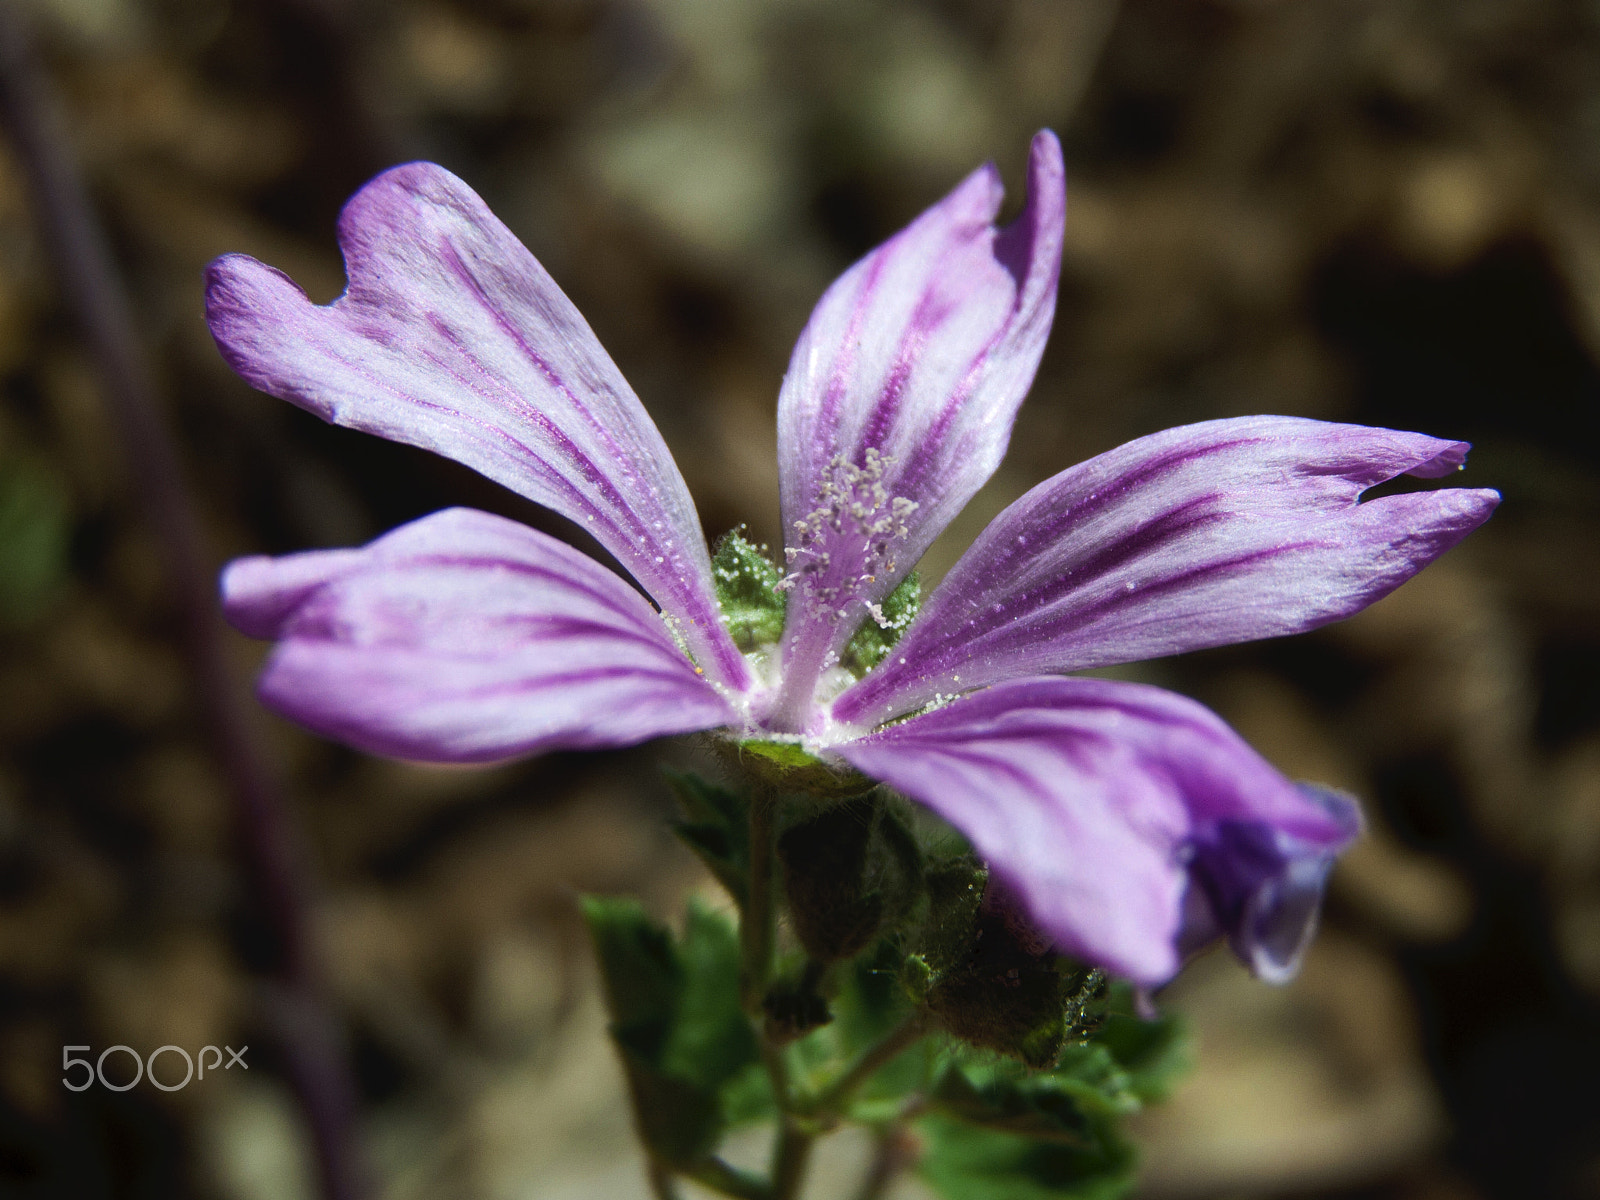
(1199, 537)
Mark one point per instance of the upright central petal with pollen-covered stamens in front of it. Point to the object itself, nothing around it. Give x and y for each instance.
(900, 399)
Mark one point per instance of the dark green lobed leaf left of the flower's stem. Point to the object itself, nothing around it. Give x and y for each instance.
(676, 1022)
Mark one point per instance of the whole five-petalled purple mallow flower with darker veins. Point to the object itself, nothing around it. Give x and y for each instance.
(1130, 822)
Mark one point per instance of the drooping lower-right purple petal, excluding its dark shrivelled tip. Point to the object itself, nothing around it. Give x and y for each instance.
(1094, 801)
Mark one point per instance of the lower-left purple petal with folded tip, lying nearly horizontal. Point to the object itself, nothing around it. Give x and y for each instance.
(466, 638)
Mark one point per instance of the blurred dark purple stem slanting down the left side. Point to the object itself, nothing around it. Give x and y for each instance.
(90, 284)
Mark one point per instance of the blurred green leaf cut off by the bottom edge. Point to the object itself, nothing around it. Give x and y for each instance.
(966, 1162)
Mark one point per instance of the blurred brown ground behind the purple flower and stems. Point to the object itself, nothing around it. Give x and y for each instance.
(1361, 210)
